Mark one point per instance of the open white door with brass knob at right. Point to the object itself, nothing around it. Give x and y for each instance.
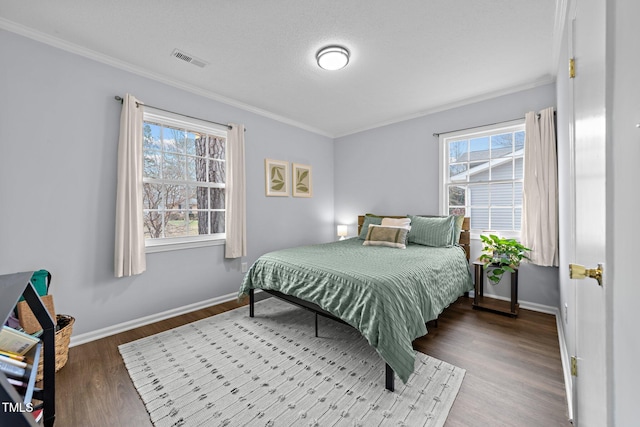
(589, 102)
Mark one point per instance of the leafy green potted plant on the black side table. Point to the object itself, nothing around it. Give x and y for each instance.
(500, 255)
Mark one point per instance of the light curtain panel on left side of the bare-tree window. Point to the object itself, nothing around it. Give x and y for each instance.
(129, 256)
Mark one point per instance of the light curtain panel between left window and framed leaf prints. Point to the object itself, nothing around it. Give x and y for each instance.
(235, 218)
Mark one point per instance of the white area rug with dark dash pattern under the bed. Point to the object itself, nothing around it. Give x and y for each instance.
(271, 370)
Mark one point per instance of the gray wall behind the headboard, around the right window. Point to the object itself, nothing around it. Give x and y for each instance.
(394, 170)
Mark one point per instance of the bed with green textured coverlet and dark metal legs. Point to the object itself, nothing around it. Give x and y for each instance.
(387, 293)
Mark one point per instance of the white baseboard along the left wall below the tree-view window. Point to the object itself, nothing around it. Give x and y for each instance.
(142, 321)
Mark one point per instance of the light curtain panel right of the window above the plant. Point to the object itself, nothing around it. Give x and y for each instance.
(540, 191)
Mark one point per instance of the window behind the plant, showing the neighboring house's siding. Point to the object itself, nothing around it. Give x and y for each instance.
(482, 174)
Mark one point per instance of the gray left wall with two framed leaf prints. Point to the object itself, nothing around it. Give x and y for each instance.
(58, 140)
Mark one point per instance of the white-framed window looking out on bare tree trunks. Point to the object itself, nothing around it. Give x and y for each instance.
(184, 181)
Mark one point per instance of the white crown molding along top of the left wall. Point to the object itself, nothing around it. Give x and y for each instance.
(125, 66)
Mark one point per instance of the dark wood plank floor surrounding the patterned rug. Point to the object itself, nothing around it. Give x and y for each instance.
(514, 374)
